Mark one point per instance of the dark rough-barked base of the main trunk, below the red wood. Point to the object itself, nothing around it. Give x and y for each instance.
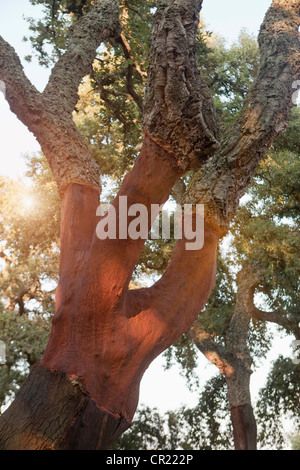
(52, 412)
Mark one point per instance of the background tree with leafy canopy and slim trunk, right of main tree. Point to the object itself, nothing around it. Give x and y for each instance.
(231, 331)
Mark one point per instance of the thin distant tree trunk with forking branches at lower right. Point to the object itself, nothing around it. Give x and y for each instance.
(233, 359)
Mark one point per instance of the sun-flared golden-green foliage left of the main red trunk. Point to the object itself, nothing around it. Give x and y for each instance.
(29, 250)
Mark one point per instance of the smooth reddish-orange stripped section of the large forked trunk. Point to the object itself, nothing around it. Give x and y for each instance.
(103, 335)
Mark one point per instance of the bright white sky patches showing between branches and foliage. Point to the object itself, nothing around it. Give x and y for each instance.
(162, 389)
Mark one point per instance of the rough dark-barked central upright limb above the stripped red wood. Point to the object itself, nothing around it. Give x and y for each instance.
(178, 112)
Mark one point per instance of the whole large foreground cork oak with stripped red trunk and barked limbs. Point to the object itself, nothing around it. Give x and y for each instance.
(84, 392)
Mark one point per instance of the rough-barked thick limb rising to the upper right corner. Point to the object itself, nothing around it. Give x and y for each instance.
(224, 179)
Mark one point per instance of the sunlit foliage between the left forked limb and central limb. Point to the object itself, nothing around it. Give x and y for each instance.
(109, 114)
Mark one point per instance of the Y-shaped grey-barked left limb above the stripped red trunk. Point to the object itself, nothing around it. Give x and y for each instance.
(48, 115)
